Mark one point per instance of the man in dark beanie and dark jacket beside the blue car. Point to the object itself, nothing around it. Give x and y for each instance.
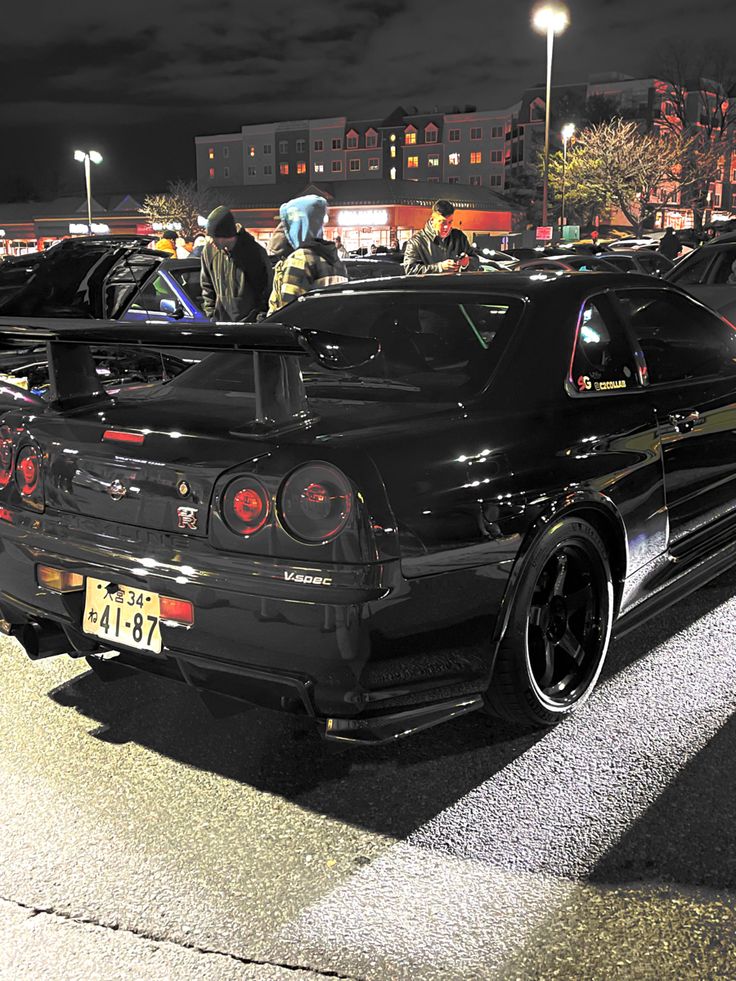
(236, 273)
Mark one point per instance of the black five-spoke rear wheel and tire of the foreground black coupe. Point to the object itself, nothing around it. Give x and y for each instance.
(559, 628)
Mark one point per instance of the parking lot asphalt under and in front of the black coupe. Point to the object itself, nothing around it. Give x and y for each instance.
(141, 837)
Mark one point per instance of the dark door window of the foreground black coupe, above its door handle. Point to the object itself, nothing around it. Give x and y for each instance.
(680, 340)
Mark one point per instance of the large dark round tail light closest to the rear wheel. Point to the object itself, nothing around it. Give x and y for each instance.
(315, 503)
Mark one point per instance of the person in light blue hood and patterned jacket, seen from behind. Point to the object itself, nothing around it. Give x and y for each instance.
(314, 262)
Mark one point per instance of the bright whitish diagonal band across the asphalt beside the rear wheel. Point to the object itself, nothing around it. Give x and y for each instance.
(470, 887)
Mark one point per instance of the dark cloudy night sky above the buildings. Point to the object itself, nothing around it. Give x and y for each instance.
(138, 79)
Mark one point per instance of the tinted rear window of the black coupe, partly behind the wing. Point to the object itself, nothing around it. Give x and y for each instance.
(430, 348)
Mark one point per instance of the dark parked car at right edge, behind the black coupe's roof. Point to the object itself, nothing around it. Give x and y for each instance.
(709, 273)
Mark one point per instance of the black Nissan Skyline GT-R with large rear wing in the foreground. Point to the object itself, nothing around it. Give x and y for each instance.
(392, 504)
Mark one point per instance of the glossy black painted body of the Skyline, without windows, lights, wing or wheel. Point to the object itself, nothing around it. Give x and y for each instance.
(398, 625)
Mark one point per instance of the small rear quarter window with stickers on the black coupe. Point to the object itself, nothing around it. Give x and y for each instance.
(603, 359)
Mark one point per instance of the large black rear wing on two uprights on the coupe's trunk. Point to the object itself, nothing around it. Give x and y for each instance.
(281, 400)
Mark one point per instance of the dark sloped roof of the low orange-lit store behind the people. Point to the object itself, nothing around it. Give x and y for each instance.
(369, 192)
